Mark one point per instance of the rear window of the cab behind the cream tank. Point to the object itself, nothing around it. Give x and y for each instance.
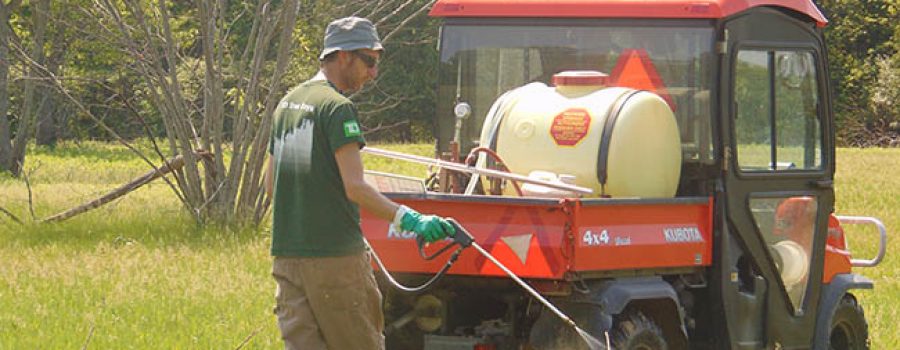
(479, 62)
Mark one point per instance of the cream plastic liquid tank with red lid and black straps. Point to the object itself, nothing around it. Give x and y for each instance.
(579, 128)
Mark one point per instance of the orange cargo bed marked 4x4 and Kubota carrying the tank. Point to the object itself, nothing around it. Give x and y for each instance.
(547, 238)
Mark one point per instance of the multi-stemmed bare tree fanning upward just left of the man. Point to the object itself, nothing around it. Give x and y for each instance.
(170, 63)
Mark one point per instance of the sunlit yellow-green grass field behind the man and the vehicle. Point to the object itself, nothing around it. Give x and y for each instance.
(138, 273)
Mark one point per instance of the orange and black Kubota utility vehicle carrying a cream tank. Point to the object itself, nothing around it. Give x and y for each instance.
(682, 156)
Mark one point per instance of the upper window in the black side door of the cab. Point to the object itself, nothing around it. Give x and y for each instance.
(777, 125)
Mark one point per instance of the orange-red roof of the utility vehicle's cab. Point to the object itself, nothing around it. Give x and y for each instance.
(616, 8)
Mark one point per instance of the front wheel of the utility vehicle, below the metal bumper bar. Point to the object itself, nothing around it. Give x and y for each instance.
(848, 330)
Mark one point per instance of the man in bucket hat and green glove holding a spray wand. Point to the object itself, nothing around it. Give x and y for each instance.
(327, 297)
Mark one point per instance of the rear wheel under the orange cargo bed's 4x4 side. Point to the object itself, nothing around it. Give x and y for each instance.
(634, 331)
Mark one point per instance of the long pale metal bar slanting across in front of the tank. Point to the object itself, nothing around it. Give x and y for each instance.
(474, 170)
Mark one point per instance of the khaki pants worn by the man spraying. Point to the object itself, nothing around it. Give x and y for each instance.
(330, 303)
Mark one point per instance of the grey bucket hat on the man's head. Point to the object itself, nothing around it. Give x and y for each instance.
(350, 33)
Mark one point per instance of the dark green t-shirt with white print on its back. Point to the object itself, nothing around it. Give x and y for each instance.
(312, 215)
